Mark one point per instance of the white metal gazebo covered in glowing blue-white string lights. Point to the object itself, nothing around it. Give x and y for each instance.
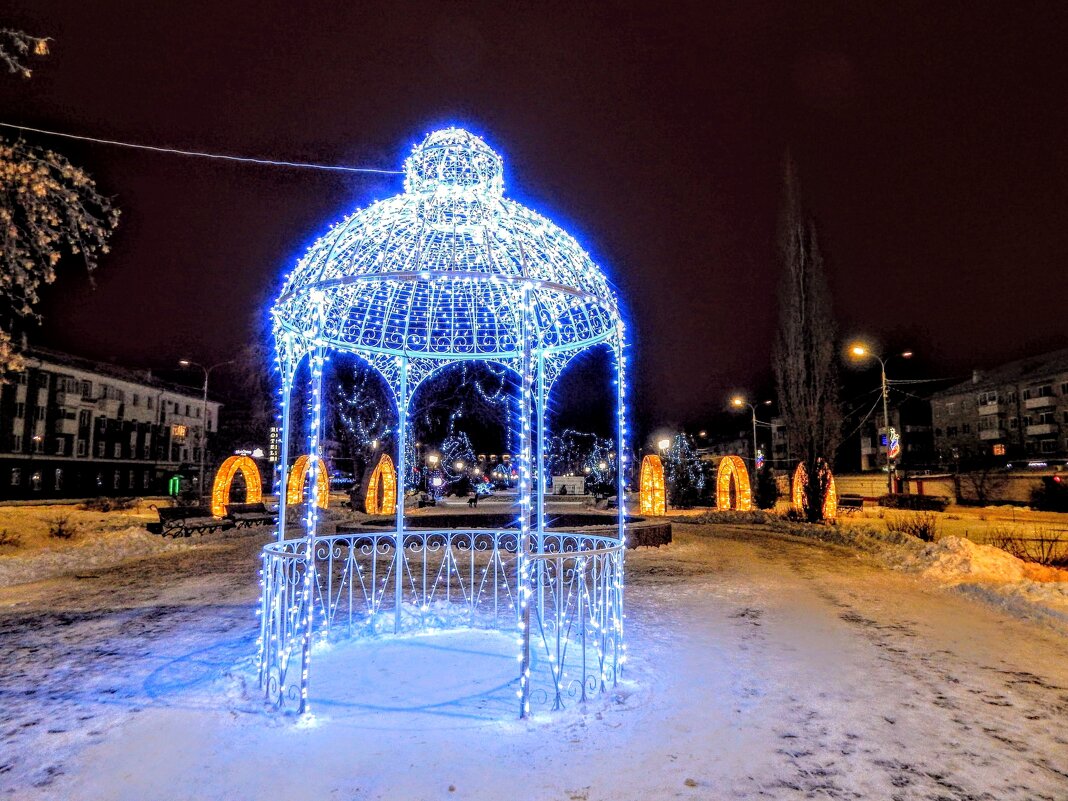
(448, 272)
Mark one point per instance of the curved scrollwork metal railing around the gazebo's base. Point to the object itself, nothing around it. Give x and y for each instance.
(564, 593)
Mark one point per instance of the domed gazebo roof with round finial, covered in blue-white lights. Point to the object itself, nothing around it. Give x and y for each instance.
(442, 270)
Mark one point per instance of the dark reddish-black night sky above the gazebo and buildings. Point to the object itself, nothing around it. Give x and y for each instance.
(932, 138)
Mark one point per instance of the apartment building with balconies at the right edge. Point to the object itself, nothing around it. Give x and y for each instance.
(1015, 412)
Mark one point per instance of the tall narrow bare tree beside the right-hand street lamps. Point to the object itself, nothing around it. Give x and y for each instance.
(805, 356)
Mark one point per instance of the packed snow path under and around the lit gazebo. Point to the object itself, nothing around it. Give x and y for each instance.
(761, 668)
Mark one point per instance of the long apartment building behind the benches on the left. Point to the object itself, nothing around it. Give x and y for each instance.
(76, 429)
